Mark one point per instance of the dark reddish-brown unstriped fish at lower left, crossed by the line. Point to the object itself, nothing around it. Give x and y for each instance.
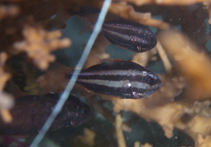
(31, 112)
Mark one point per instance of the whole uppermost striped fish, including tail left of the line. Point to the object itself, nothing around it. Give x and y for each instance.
(121, 32)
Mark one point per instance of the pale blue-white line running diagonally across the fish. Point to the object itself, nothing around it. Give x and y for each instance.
(73, 79)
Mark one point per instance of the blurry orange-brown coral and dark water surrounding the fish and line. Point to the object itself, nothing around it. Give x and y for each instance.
(41, 41)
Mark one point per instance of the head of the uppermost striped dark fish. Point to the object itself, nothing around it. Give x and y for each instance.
(149, 41)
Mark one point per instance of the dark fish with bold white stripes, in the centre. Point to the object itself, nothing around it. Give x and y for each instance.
(123, 79)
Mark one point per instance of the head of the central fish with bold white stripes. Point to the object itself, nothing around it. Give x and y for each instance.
(147, 85)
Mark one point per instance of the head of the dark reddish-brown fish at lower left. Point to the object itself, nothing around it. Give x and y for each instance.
(78, 113)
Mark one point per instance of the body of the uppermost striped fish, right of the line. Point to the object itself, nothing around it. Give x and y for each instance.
(129, 35)
